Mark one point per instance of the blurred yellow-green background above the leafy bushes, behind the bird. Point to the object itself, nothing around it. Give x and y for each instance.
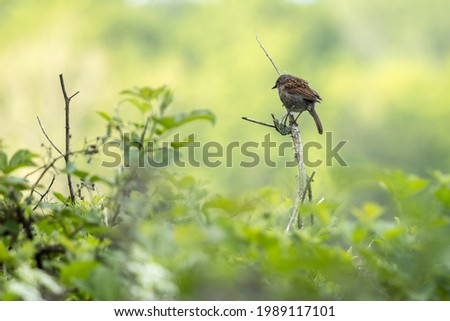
(381, 67)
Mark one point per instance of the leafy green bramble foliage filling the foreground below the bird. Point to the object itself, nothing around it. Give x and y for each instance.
(160, 235)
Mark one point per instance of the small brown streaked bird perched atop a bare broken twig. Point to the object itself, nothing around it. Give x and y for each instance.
(297, 96)
